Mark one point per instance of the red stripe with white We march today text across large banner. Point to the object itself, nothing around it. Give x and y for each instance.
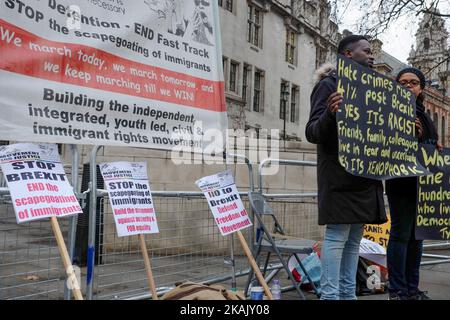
(27, 58)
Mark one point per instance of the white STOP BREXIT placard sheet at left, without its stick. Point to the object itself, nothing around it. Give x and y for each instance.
(37, 182)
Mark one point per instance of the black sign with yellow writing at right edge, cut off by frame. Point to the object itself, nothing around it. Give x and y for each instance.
(433, 207)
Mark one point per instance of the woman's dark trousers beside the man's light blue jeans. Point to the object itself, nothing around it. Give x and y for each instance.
(404, 252)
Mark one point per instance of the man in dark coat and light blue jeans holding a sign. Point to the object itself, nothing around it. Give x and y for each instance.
(346, 202)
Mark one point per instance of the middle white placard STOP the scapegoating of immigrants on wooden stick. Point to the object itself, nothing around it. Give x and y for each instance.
(132, 205)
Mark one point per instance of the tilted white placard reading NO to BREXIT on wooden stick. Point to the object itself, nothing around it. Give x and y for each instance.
(229, 213)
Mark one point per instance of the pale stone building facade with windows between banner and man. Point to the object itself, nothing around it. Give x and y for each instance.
(271, 50)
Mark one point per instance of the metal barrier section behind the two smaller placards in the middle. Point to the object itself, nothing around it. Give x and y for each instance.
(188, 247)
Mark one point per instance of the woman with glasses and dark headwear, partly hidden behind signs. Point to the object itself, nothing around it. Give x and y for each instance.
(404, 252)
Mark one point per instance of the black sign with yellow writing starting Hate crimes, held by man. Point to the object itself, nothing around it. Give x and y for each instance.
(375, 124)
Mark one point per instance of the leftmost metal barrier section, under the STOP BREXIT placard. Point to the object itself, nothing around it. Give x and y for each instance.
(30, 263)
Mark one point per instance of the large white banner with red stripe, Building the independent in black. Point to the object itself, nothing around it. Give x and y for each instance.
(145, 73)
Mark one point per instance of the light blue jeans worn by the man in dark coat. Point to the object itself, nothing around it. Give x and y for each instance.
(340, 253)
